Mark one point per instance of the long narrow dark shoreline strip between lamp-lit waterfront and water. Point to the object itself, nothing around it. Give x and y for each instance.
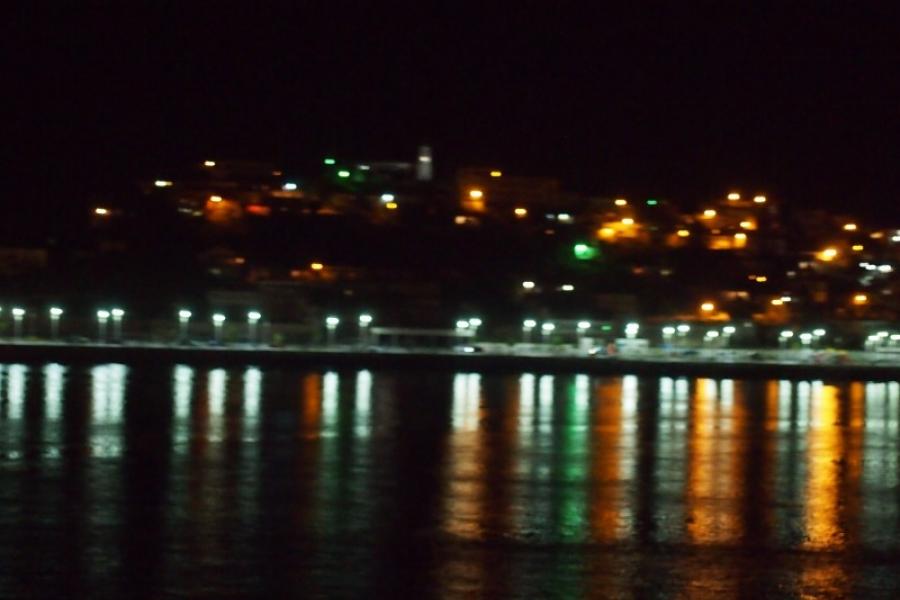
(352, 357)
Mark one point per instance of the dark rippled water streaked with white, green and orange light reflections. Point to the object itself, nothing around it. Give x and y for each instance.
(182, 482)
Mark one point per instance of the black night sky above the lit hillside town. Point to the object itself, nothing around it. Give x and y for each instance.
(800, 100)
